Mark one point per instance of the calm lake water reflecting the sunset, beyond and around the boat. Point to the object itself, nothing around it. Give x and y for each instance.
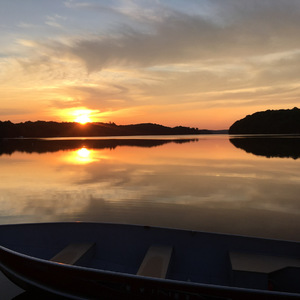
(240, 185)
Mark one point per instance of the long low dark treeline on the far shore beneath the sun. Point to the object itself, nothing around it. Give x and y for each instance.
(72, 129)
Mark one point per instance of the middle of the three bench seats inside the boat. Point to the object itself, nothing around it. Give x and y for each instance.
(156, 262)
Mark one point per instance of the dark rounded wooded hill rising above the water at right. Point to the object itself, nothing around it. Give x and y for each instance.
(269, 122)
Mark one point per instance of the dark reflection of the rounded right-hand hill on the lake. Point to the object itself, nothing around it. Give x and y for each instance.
(288, 147)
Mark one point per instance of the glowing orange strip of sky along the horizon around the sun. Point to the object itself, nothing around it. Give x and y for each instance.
(208, 118)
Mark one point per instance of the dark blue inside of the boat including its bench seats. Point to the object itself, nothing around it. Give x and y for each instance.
(181, 255)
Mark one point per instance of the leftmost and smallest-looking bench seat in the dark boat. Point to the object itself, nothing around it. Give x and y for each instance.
(72, 253)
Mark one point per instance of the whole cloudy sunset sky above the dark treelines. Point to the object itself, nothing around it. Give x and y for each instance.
(197, 63)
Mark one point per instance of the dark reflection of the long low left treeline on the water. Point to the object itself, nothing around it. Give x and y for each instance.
(9, 146)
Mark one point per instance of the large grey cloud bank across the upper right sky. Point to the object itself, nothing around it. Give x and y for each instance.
(247, 28)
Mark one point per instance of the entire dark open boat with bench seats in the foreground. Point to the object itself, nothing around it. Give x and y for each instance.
(81, 260)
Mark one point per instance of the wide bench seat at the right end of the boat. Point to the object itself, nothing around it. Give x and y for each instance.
(250, 262)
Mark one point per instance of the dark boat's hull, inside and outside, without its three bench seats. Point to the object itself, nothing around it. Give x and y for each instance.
(200, 265)
